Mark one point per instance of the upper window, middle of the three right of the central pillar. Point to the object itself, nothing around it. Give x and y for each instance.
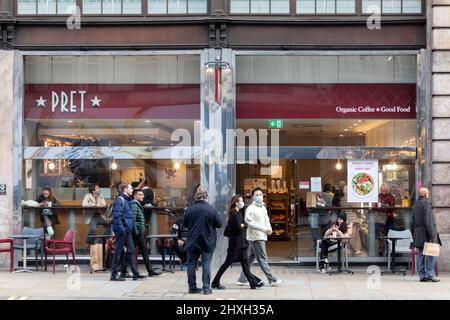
(325, 6)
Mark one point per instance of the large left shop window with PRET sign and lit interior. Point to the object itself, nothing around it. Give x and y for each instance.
(106, 119)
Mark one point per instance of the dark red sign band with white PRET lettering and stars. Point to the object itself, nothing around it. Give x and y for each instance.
(112, 101)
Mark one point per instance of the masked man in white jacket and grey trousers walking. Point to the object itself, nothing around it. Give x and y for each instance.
(258, 229)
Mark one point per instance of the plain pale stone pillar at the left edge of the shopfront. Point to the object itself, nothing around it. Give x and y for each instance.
(6, 143)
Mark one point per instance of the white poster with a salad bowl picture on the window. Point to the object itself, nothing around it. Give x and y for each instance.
(362, 180)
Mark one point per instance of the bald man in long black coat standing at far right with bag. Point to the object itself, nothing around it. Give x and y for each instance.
(424, 230)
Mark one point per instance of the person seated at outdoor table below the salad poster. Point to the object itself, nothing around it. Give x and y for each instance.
(328, 244)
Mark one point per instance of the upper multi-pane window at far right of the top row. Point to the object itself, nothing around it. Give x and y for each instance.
(392, 6)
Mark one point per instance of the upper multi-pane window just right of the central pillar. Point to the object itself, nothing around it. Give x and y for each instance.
(259, 6)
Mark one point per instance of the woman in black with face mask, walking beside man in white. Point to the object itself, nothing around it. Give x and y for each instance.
(237, 246)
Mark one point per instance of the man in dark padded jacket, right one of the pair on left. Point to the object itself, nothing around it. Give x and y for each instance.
(139, 235)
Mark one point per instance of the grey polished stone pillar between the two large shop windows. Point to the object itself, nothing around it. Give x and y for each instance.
(217, 145)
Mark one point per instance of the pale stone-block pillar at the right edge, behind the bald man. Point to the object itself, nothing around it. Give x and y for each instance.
(439, 20)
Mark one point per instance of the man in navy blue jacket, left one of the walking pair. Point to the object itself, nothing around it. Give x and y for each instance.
(123, 225)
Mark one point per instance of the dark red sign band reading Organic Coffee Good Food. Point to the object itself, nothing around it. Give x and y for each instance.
(326, 101)
